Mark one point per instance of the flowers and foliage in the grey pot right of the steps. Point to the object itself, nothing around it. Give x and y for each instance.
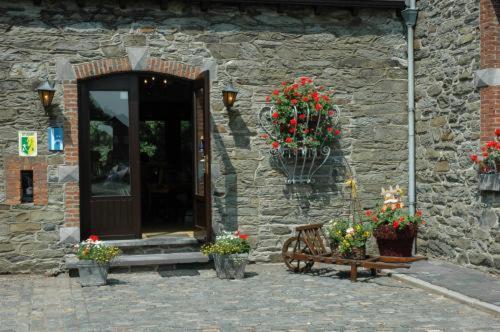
(227, 243)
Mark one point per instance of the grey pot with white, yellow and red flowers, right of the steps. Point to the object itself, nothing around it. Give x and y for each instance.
(230, 254)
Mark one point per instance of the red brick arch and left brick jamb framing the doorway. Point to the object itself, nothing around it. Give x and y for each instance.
(93, 69)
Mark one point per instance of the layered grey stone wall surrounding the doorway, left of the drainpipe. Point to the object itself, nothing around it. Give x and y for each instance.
(357, 53)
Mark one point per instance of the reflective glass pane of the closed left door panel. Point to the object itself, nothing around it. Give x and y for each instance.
(109, 143)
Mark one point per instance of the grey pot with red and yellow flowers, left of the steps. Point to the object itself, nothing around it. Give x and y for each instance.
(94, 257)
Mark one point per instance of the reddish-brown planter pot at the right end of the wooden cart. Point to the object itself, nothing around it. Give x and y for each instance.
(397, 243)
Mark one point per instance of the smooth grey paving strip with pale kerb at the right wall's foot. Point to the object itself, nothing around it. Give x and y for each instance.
(476, 284)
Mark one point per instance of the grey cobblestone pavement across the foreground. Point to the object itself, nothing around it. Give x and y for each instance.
(270, 298)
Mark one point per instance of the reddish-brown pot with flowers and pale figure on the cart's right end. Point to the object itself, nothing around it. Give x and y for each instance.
(393, 227)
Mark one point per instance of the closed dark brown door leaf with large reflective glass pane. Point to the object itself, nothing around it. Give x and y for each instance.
(109, 157)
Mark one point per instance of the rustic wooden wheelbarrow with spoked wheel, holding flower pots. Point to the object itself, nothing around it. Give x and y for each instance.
(308, 246)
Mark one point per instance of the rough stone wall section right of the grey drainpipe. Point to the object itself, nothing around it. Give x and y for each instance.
(462, 221)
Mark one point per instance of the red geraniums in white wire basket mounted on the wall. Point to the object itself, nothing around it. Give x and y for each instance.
(300, 124)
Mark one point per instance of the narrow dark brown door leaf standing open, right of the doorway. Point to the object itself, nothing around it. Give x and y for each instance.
(202, 190)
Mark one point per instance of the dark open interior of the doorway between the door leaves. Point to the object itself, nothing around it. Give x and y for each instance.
(166, 144)
